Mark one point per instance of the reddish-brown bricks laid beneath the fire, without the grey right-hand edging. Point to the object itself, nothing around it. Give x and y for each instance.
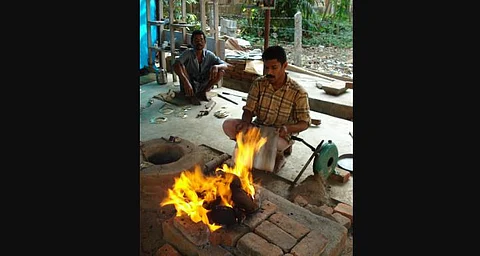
(266, 232)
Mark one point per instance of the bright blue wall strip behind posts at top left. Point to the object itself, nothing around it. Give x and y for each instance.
(143, 31)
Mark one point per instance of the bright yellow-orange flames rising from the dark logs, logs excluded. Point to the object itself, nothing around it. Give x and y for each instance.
(192, 191)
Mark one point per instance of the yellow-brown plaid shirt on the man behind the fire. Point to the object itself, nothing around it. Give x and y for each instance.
(287, 105)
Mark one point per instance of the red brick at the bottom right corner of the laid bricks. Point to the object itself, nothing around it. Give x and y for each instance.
(311, 245)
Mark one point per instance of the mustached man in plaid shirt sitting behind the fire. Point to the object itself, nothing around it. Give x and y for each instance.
(276, 101)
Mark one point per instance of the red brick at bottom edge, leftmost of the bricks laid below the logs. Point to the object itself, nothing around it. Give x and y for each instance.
(253, 245)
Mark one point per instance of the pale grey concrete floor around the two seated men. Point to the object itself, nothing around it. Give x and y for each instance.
(207, 130)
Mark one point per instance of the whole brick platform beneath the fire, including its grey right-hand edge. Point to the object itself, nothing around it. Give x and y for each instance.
(279, 227)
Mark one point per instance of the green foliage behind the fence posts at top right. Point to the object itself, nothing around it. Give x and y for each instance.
(329, 26)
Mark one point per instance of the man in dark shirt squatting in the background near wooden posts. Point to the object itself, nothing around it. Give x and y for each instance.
(198, 69)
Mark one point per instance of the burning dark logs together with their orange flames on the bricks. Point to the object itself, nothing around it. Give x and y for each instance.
(224, 198)
